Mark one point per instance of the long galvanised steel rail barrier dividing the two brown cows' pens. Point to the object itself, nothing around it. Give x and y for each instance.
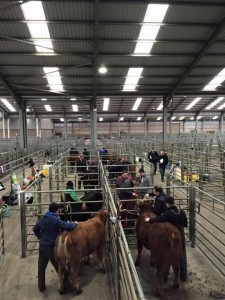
(125, 278)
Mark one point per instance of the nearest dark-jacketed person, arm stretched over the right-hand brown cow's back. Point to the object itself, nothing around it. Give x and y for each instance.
(178, 218)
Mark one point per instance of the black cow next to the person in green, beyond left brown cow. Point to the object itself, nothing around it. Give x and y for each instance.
(74, 212)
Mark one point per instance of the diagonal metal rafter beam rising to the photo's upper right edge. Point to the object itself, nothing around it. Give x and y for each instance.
(195, 62)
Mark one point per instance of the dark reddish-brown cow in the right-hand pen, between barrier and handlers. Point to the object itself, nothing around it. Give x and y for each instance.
(164, 242)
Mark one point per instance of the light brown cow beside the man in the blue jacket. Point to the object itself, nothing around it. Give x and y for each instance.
(71, 246)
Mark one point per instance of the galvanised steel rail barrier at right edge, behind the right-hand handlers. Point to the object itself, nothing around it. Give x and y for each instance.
(206, 219)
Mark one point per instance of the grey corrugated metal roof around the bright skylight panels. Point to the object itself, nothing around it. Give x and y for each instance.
(179, 44)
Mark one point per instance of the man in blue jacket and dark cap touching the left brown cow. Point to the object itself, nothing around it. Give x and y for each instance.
(46, 230)
